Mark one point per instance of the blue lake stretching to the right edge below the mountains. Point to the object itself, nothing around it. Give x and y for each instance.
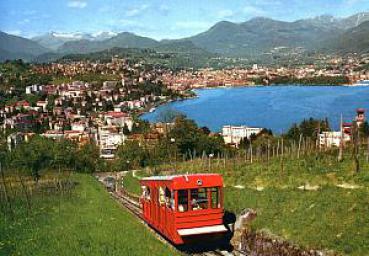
(276, 108)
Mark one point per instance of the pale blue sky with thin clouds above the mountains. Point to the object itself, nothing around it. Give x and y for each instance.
(158, 19)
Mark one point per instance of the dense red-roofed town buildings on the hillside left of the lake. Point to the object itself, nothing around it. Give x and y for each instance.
(85, 112)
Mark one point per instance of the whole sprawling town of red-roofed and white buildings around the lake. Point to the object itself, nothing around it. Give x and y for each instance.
(107, 113)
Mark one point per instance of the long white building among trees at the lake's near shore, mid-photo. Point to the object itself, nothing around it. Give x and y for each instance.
(234, 134)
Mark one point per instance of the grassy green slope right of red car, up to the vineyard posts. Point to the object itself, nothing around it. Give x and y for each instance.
(323, 216)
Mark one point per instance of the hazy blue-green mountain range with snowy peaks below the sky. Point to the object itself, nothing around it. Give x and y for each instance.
(254, 37)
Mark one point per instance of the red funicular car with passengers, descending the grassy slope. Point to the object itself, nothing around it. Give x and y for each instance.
(184, 207)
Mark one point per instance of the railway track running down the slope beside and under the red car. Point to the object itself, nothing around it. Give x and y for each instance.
(133, 206)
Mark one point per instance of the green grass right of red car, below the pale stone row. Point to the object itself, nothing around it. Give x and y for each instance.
(331, 218)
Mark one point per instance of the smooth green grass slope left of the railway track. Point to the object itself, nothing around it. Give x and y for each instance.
(87, 222)
